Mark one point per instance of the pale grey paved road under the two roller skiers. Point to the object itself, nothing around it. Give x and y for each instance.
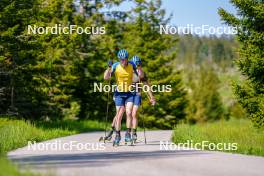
(132, 160)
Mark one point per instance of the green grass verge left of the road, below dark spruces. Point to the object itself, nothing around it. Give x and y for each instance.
(17, 133)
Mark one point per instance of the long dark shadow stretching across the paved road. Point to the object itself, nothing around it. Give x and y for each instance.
(100, 159)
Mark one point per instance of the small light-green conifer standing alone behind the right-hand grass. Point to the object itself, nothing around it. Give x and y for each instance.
(205, 103)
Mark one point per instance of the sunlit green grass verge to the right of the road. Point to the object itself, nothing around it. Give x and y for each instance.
(249, 140)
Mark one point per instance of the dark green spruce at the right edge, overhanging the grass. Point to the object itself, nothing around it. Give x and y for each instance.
(250, 22)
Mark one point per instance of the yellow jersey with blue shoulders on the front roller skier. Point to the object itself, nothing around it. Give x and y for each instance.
(124, 75)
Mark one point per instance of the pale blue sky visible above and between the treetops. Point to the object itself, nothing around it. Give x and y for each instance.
(196, 12)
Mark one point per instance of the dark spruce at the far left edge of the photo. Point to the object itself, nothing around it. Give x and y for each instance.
(17, 56)
